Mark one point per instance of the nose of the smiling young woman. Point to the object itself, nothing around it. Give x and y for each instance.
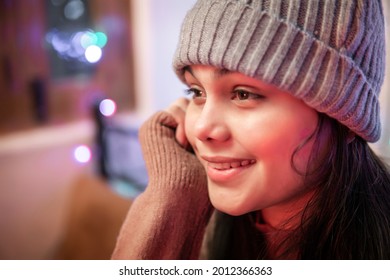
(211, 124)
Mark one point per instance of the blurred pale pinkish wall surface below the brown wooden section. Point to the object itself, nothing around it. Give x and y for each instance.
(37, 170)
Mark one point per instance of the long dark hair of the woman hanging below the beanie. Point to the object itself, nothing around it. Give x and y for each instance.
(347, 218)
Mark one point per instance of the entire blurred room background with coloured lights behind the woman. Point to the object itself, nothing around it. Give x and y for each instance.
(77, 78)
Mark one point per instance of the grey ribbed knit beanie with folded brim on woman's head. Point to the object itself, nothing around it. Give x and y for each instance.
(329, 53)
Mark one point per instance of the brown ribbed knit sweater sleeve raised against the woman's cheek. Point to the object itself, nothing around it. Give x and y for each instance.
(168, 220)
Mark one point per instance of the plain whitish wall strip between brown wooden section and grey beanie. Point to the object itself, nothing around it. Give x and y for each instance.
(156, 29)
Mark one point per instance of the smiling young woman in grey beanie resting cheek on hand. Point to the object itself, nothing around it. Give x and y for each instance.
(284, 98)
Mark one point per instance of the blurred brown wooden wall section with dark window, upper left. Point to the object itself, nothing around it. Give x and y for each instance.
(44, 76)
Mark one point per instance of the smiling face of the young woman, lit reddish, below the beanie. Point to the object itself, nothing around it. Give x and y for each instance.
(245, 133)
